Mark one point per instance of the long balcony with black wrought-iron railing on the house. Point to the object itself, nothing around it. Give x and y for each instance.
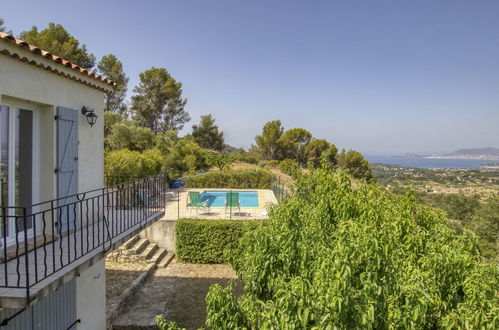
(53, 241)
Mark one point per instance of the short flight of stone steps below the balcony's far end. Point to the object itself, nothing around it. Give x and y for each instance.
(139, 249)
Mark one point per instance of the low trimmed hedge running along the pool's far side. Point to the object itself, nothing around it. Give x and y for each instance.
(242, 179)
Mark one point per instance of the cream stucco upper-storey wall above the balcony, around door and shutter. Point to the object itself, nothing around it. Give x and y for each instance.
(45, 90)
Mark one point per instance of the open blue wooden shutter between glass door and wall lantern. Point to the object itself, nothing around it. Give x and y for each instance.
(67, 164)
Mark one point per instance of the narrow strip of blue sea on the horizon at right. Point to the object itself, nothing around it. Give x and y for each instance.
(428, 162)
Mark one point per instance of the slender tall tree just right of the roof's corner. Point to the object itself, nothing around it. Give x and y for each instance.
(110, 67)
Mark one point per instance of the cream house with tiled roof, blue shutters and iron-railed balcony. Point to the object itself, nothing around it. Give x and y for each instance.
(57, 219)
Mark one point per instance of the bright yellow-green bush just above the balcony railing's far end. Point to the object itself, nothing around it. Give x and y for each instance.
(133, 164)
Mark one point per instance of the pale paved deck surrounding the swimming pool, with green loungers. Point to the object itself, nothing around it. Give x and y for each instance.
(177, 206)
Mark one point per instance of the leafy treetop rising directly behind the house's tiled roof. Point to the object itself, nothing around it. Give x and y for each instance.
(57, 40)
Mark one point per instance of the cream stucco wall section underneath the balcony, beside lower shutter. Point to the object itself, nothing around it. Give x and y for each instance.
(91, 297)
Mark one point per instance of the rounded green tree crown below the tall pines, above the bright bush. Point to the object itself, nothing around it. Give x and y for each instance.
(128, 135)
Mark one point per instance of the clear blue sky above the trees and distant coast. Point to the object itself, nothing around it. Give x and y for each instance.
(381, 77)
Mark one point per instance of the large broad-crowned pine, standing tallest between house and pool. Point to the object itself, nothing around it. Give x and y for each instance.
(158, 103)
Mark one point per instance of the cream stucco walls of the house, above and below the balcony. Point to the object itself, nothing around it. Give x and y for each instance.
(27, 86)
